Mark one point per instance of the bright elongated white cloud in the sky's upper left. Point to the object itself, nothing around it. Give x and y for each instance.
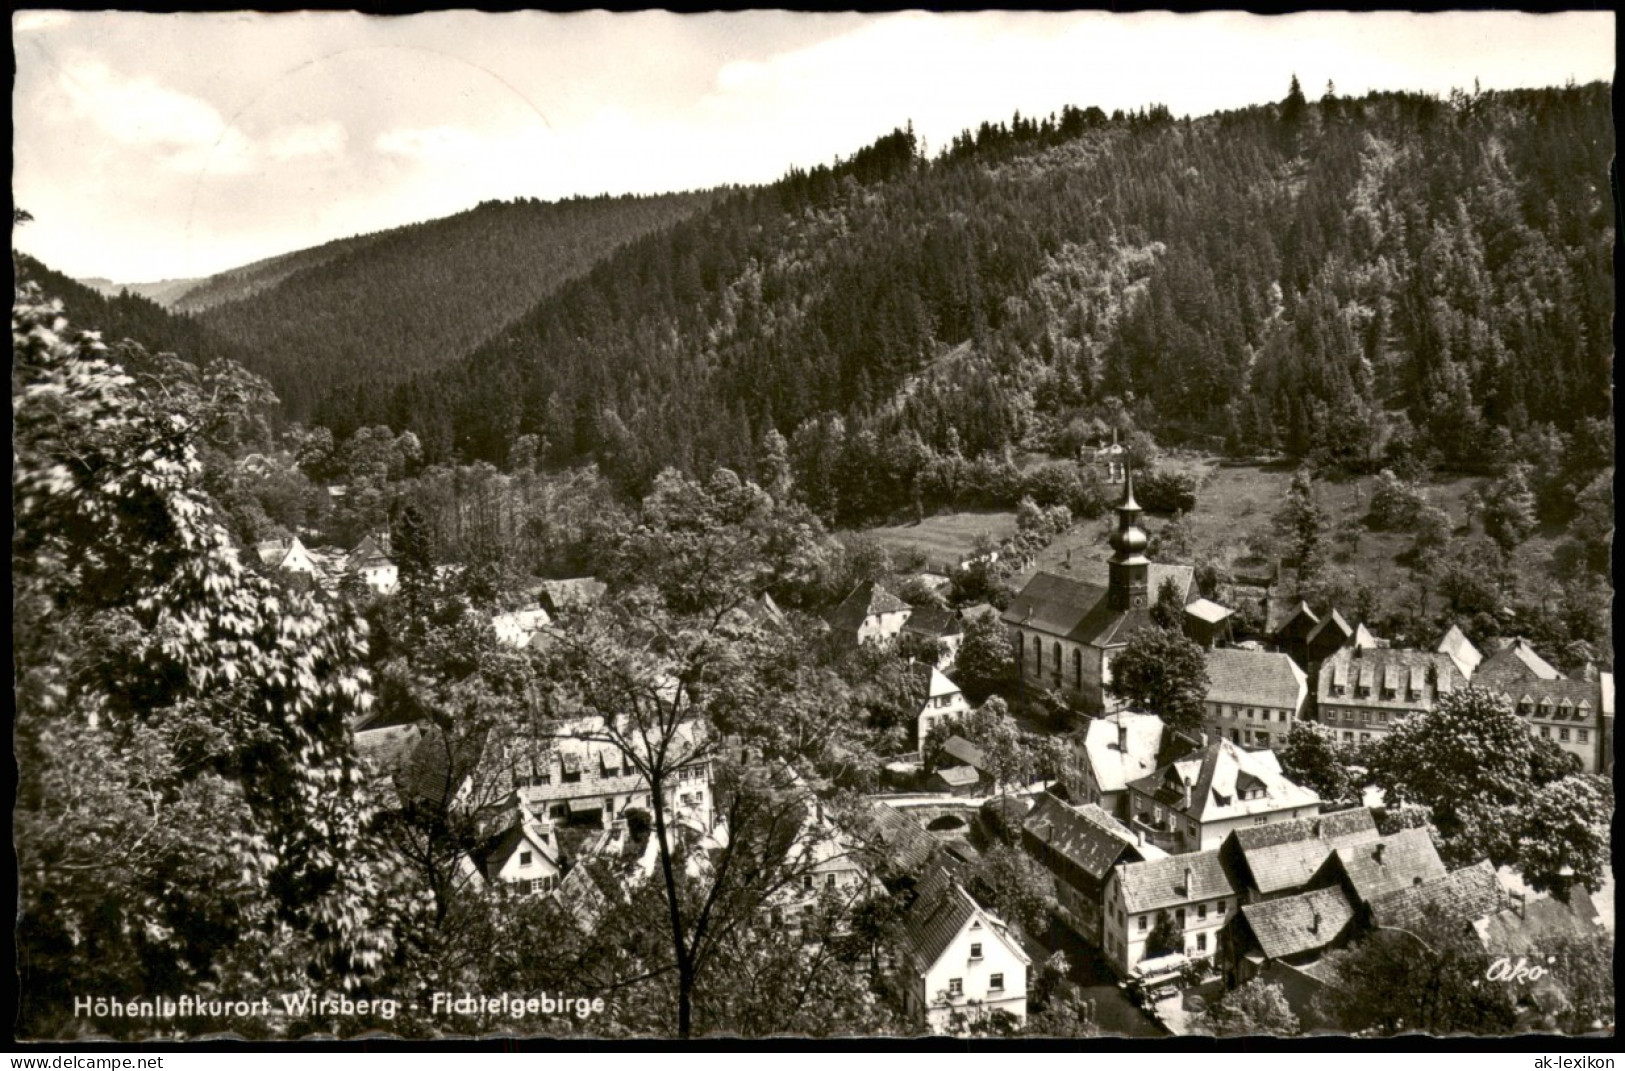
(181, 131)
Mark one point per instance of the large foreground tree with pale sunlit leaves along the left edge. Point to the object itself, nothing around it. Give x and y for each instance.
(189, 813)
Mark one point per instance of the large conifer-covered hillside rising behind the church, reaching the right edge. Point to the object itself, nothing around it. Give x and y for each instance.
(1353, 280)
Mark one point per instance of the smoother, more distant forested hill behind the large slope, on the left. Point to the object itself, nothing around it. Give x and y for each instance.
(381, 308)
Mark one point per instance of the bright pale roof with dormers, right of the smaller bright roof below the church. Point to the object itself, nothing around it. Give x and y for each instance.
(1218, 778)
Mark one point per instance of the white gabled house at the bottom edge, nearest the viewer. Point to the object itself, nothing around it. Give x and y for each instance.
(960, 958)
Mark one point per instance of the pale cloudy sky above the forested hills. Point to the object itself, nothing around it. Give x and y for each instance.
(155, 147)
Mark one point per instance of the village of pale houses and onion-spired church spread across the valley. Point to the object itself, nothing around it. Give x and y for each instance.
(1185, 862)
